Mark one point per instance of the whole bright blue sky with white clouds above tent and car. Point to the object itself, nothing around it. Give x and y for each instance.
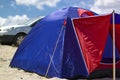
(18, 11)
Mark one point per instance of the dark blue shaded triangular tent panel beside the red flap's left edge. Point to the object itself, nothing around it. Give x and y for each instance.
(73, 61)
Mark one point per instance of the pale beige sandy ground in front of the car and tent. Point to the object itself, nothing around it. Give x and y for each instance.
(8, 73)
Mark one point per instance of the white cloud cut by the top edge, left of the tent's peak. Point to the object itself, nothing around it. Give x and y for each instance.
(38, 3)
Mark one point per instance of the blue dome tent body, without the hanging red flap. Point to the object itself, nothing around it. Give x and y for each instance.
(51, 48)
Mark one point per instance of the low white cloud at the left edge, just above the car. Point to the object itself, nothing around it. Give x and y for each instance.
(12, 20)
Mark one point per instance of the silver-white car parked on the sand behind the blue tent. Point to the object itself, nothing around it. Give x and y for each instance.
(14, 34)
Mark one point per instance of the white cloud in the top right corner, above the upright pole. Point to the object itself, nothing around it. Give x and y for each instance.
(106, 6)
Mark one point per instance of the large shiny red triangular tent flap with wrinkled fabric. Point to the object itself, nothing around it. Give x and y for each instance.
(92, 33)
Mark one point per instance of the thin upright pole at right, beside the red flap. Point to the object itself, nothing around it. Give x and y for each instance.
(114, 68)
